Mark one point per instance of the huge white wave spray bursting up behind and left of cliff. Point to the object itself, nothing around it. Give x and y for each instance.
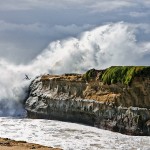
(104, 46)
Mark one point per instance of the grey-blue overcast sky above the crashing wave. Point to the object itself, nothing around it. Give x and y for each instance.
(28, 26)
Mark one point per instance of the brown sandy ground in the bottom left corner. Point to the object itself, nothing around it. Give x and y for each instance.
(7, 144)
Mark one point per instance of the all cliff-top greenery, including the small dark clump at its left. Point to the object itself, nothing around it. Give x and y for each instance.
(122, 74)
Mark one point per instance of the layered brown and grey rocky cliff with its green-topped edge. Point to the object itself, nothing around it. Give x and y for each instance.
(117, 99)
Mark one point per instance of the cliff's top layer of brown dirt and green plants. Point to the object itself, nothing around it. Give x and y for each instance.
(111, 75)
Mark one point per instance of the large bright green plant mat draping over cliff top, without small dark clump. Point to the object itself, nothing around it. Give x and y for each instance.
(124, 74)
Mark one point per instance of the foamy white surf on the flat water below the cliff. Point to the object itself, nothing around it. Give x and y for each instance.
(69, 136)
